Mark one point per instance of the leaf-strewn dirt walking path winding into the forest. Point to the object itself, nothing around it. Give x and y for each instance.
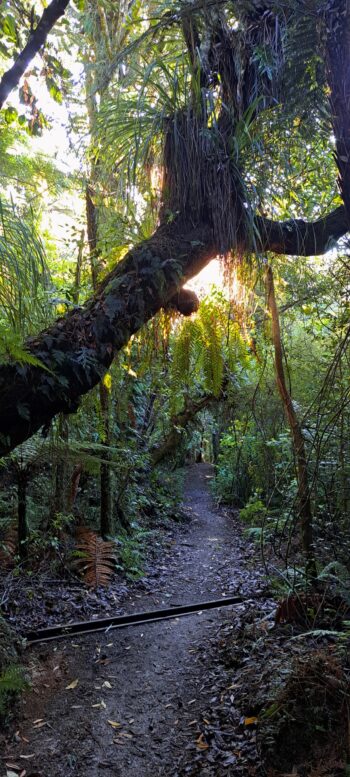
(135, 692)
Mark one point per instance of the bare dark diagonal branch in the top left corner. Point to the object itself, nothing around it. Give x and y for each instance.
(37, 39)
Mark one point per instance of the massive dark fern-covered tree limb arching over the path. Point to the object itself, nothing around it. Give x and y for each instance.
(79, 348)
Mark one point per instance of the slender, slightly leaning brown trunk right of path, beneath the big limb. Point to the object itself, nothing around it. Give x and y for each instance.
(304, 499)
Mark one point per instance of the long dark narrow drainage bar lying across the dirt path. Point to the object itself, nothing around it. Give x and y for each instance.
(62, 631)
